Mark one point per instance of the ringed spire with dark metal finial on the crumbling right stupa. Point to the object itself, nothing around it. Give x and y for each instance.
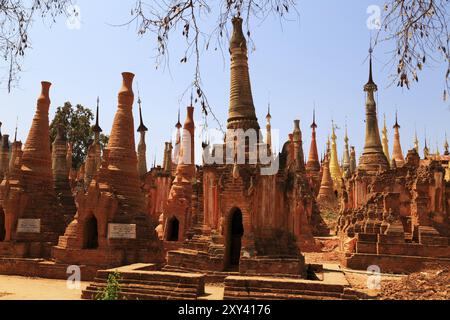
(373, 157)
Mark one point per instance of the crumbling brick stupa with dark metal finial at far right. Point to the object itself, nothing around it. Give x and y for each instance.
(397, 218)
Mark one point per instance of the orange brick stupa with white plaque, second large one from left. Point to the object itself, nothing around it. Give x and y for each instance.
(111, 227)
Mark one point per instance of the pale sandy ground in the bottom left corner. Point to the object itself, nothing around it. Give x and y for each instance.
(21, 288)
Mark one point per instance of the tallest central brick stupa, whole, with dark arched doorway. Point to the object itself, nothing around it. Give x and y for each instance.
(252, 222)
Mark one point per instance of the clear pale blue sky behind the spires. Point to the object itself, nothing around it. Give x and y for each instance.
(318, 59)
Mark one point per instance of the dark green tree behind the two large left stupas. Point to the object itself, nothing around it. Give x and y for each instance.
(77, 122)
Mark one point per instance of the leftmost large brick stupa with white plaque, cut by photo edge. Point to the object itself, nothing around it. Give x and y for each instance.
(33, 220)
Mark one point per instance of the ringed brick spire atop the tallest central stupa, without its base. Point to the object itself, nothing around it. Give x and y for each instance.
(242, 113)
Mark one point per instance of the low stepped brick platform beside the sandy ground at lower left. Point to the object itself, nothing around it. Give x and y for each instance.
(138, 283)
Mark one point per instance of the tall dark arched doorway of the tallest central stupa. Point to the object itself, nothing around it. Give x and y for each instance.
(234, 243)
